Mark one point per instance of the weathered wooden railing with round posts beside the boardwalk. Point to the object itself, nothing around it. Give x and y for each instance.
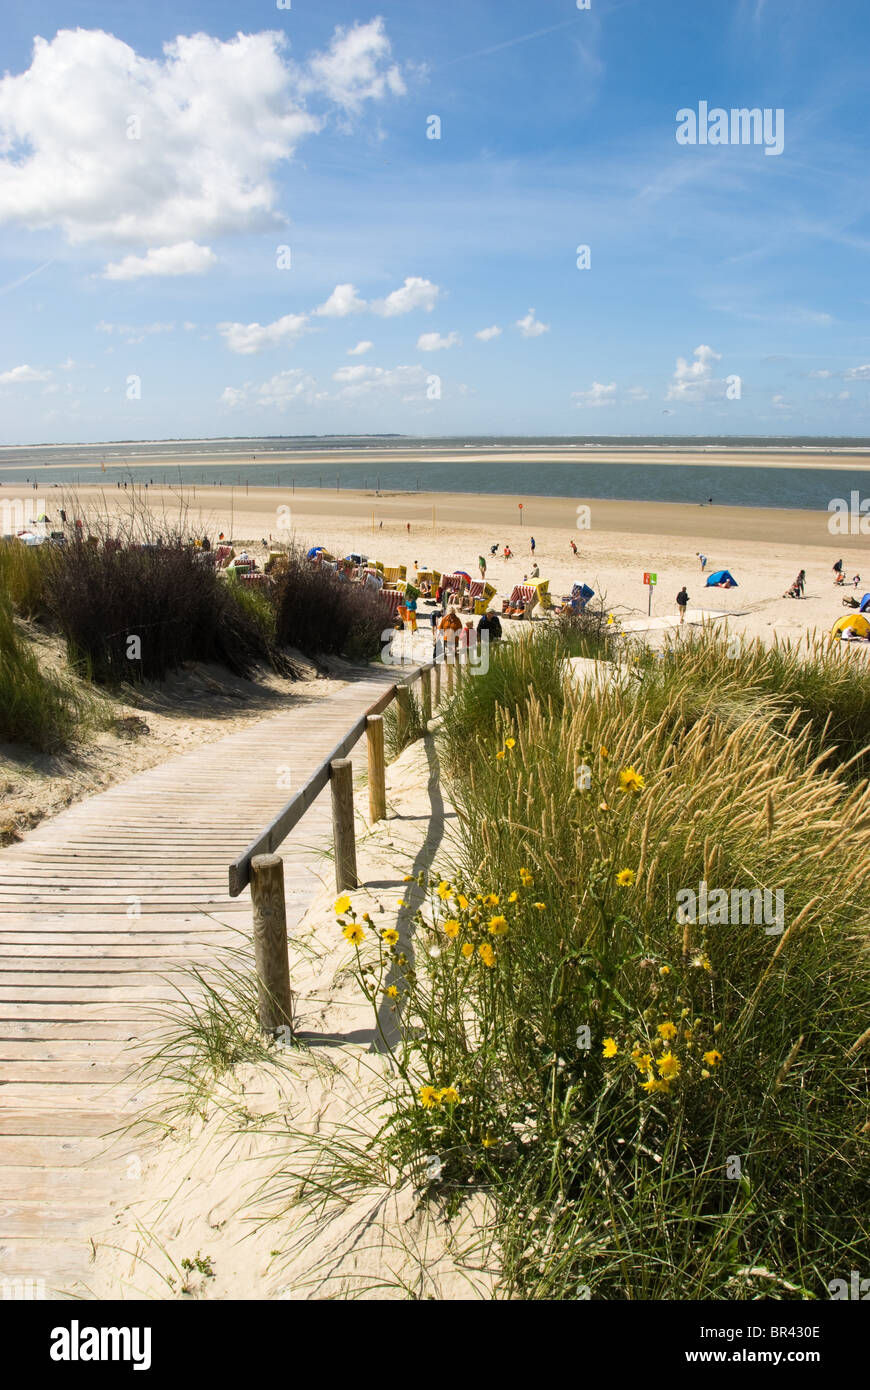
(263, 869)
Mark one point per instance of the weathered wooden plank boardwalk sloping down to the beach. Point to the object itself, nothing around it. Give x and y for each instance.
(99, 908)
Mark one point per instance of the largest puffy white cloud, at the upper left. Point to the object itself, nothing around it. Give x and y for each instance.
(110, 145)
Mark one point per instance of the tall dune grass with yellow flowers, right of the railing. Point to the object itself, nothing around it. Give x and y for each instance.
(659, 1109)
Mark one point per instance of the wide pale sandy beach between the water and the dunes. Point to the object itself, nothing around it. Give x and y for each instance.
(618, 543)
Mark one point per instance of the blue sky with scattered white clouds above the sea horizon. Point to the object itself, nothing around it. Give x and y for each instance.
(155, 161)
